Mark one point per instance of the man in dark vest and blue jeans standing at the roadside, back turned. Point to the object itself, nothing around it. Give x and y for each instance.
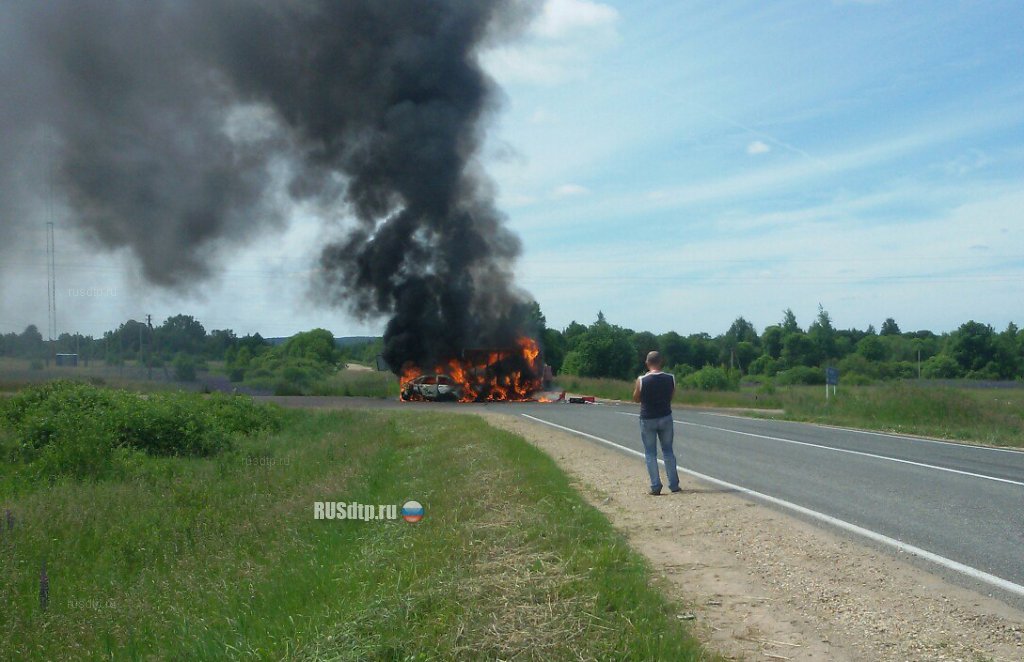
(655, 392)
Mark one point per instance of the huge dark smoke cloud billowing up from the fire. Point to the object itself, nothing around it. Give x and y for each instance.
(175, 127)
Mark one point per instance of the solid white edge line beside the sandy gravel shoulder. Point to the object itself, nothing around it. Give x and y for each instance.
(950, 564)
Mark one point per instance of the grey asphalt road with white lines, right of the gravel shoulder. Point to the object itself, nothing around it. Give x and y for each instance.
(956, 510)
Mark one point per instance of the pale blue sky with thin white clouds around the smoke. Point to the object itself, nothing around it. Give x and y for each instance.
(679, 164)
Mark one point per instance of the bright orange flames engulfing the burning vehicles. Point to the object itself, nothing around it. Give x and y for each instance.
(483, 376)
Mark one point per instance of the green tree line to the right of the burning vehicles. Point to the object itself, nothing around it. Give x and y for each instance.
(788, 353)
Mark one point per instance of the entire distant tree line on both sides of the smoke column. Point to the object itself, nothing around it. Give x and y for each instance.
(785, 353)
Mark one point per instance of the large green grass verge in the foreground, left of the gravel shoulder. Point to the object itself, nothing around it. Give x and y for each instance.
(221, 557)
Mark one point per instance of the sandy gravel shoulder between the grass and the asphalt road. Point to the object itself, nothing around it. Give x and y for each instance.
(762, 586)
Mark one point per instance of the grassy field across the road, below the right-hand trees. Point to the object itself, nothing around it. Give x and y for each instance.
(965, 413)
